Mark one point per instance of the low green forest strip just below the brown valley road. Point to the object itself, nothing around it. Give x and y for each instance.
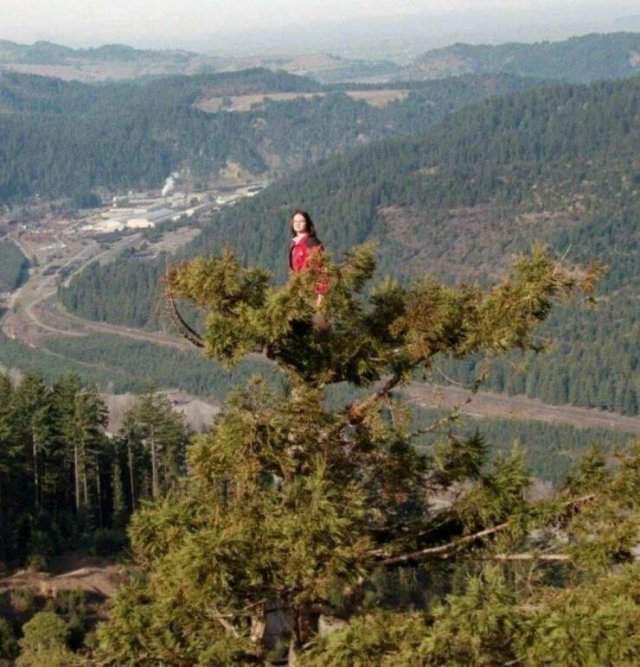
(119, 365)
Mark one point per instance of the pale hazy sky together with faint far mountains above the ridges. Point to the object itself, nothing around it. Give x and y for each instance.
(386, 30)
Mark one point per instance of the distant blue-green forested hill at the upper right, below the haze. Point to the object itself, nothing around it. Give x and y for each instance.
(578, 60)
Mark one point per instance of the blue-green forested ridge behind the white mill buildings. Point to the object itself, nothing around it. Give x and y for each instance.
(64, 139)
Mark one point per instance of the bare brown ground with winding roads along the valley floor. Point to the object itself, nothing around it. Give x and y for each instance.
(34, 315)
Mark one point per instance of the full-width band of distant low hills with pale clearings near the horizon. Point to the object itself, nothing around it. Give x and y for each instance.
(579, 59)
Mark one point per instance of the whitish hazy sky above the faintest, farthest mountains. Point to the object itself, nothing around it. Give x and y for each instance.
(180, 23)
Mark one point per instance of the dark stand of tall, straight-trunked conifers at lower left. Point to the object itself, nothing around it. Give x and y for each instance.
(64, 480)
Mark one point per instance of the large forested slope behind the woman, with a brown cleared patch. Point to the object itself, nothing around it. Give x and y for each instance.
(557, 164)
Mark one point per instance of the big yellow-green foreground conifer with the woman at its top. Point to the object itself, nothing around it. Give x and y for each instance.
(293, 505)
